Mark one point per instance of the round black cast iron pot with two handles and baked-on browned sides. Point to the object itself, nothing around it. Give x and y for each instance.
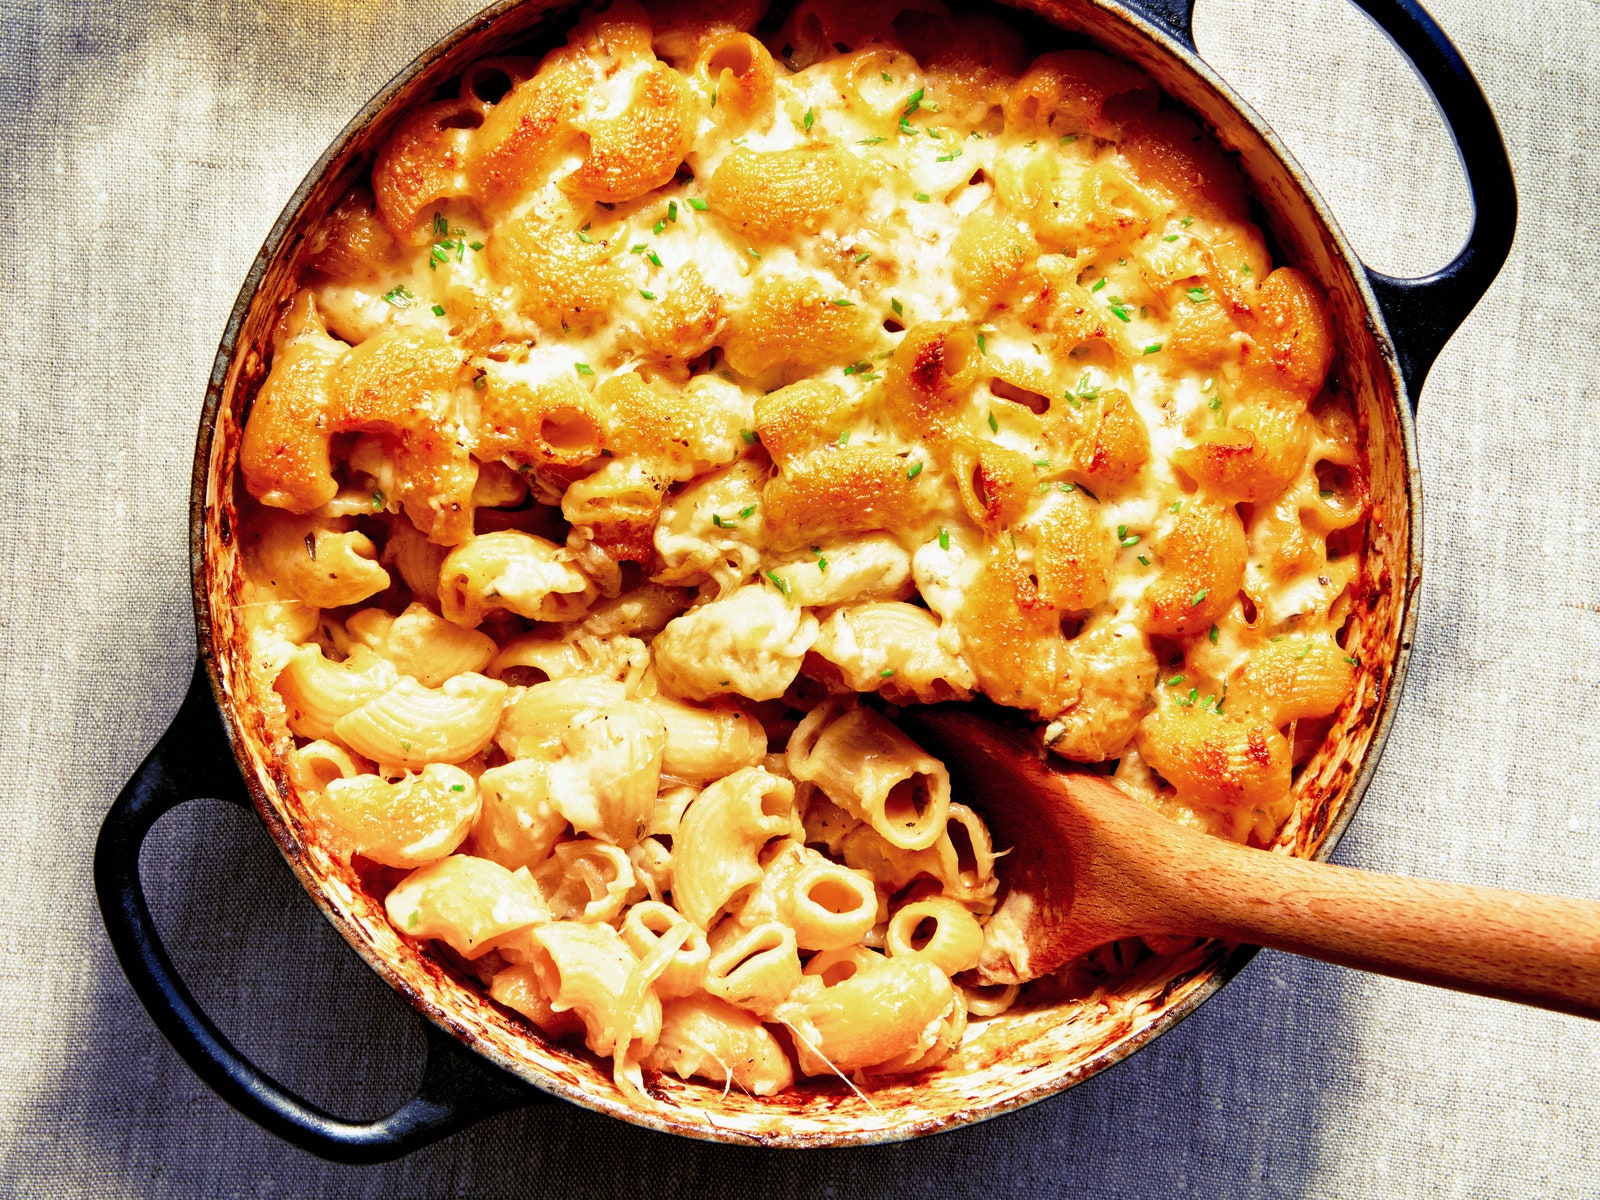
(481, 1060)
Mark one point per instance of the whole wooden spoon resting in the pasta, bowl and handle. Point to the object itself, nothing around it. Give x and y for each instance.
(1090, 865)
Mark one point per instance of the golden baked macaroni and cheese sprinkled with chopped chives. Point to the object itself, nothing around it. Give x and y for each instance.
(670, 410)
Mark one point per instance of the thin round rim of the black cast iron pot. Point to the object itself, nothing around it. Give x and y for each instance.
(1223, 969)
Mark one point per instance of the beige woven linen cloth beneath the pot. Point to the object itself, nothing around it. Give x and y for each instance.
(146, 148)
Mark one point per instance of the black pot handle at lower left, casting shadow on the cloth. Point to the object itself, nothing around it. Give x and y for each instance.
(191, 761)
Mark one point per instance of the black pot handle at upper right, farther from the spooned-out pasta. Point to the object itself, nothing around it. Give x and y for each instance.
(1423, 313)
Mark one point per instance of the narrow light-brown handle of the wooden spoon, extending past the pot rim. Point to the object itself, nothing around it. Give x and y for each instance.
(1510, 945)
